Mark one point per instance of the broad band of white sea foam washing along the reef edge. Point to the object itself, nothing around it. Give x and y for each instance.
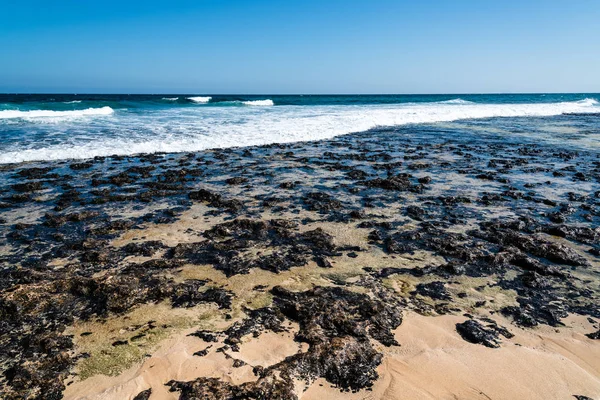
(193, 128)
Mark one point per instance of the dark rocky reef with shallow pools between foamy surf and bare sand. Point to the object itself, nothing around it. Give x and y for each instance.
(92, 241)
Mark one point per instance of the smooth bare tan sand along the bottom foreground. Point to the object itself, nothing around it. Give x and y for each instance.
(433, 362)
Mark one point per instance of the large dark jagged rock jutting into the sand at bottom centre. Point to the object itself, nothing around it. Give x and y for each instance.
(336, 324)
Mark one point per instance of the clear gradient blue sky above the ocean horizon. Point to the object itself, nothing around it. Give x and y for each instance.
(299, 46)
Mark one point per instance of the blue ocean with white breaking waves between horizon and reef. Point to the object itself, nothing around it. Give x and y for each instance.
(64, 126)
